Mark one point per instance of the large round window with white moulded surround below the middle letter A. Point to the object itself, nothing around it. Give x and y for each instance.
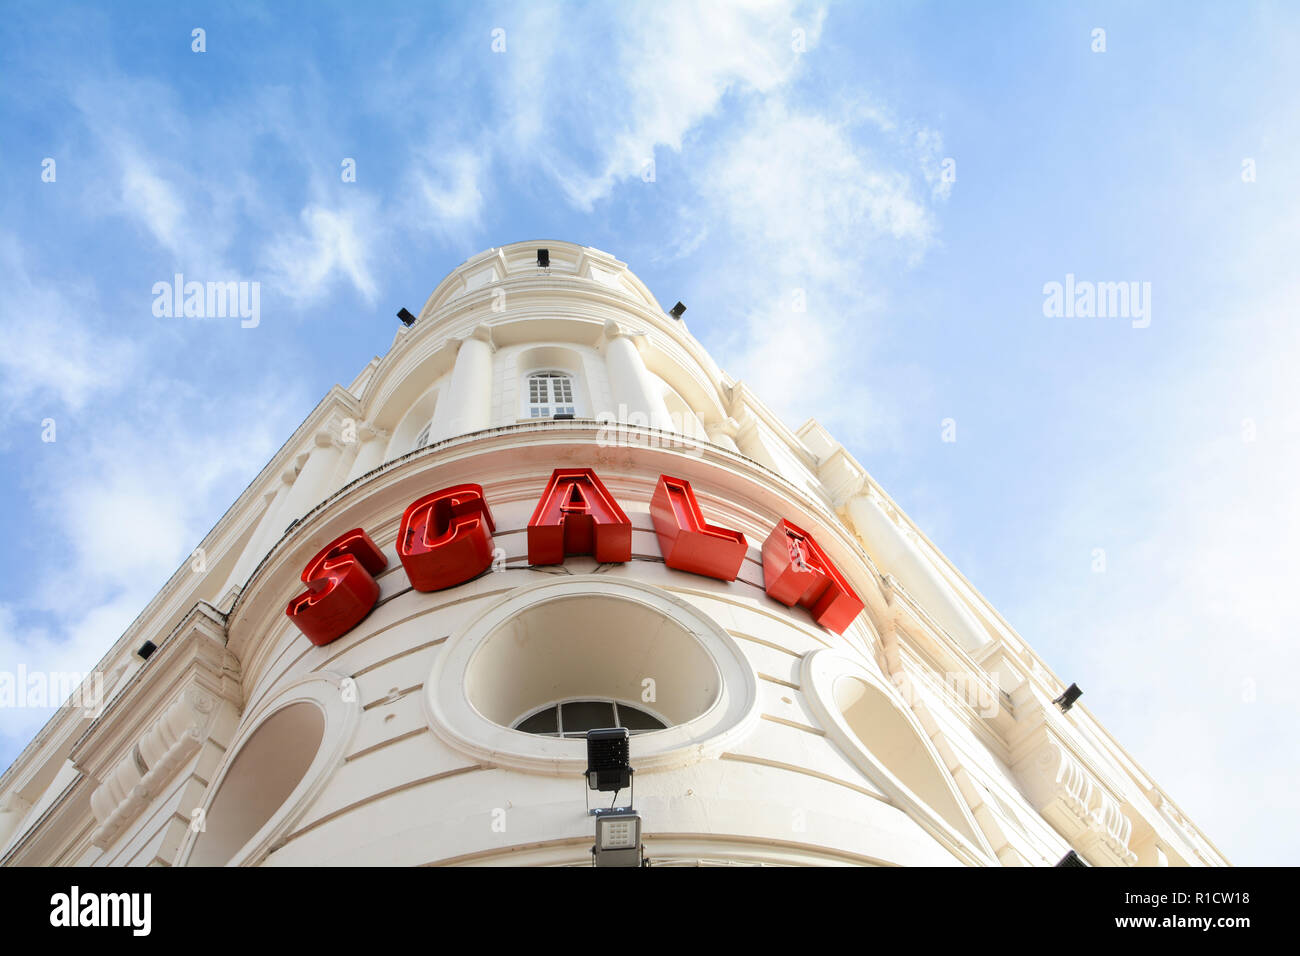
(523, 684)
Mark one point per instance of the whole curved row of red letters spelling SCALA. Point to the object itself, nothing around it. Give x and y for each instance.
(445, 540)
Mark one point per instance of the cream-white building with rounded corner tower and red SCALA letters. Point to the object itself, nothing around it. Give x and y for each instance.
(848, 699)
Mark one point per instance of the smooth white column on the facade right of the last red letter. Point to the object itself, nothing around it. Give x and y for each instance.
(898, 555)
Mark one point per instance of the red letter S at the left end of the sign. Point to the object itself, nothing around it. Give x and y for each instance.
(340, 587)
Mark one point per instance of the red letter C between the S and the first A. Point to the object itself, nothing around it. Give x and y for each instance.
(447, 538)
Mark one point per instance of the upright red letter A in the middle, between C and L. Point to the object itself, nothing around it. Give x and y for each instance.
(578, 516)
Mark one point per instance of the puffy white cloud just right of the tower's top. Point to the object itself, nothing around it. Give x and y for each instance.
(813, 222)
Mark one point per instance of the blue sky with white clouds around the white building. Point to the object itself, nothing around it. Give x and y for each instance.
(864, 207)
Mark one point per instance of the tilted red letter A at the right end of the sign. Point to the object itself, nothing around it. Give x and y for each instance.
(798, 572)
